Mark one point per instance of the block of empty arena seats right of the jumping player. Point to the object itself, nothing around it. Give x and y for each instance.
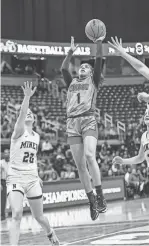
(117, 102)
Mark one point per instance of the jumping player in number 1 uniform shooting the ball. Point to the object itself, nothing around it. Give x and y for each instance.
(82, 126)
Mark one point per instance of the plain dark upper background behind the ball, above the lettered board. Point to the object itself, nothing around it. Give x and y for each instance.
(57, 20)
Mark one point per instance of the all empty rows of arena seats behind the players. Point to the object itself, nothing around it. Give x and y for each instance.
(114, 100)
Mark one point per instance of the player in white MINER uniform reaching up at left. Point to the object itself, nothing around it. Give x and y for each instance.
(22, 172)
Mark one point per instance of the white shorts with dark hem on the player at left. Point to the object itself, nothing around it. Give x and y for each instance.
(25, 183)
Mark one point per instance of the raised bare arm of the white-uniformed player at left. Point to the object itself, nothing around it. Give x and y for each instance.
(19, 126)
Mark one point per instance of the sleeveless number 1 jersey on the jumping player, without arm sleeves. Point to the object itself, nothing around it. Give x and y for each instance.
(81, 97)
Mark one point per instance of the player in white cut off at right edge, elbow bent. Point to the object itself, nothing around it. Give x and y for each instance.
(144, 148)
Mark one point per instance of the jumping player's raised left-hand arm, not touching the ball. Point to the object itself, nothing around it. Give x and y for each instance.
(66, 62)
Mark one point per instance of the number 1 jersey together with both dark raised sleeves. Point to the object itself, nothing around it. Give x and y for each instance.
(82, 93)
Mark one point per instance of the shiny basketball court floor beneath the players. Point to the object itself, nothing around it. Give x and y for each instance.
(125, 223)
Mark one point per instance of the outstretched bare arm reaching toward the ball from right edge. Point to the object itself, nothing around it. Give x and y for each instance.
(138, 65)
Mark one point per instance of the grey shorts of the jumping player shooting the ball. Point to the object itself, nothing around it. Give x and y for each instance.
(80, 127)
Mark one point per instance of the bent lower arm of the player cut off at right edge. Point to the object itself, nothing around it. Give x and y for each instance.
(130, 161)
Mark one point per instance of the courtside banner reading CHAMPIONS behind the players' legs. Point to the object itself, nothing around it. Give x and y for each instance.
(70, 192)
